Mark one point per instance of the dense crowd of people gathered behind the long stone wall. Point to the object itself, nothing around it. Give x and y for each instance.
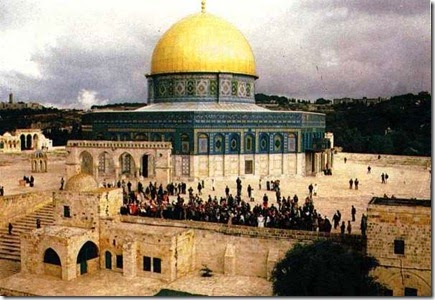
(288, 213)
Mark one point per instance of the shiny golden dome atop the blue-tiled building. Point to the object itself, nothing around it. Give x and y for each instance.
(203, 43)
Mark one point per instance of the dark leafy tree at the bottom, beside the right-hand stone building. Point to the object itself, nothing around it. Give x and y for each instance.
(325, 268)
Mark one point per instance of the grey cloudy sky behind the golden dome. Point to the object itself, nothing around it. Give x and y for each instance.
(75, 53)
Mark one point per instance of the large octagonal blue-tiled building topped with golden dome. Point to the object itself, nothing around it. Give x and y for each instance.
(201, 99)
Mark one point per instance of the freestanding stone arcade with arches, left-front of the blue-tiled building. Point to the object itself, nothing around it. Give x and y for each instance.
(115, 160)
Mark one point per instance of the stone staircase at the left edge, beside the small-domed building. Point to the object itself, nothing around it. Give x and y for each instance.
(10, 243)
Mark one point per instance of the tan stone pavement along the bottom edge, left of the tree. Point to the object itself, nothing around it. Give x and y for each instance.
(110, 283)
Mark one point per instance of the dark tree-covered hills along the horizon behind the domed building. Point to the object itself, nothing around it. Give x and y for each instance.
(401, 125)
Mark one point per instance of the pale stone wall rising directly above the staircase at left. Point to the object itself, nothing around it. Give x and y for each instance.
(16, 206)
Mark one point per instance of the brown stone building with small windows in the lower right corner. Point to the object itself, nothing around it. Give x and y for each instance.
(399, 235)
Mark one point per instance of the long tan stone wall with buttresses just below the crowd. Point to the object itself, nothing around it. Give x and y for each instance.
(243, 250)
